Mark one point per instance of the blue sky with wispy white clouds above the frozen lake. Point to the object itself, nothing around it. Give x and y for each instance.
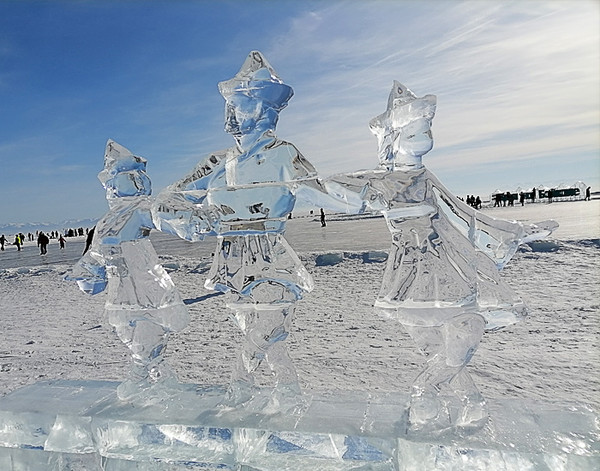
(517, 86)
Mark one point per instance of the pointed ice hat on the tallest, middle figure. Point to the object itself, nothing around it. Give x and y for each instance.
(257, 79)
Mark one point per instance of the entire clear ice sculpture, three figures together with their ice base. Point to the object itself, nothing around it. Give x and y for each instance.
(441, 282)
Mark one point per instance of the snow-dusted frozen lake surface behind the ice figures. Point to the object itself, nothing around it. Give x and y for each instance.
(52, 330)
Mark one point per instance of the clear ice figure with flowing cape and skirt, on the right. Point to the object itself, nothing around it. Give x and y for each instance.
(441, 280)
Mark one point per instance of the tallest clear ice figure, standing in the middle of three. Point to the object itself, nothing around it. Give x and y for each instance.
(243, 195)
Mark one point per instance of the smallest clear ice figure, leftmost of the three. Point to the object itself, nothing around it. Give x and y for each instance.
(142, 303)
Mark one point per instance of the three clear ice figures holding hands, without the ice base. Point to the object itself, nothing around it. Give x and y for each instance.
(441, 281)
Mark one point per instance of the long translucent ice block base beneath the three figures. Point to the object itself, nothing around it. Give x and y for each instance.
(80, 425)
